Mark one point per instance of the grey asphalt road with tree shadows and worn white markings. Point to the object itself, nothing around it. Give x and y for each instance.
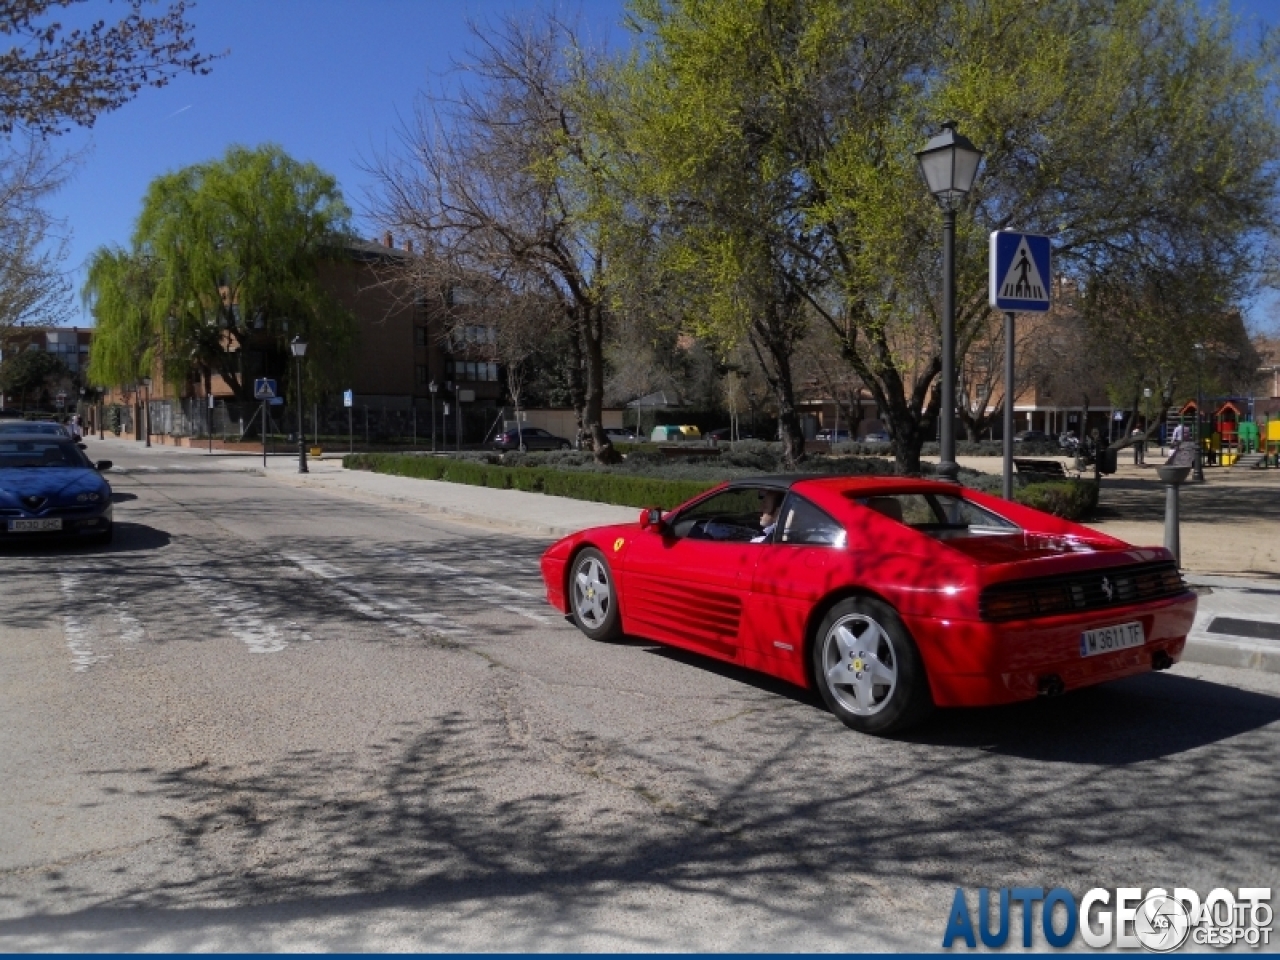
(271, 719)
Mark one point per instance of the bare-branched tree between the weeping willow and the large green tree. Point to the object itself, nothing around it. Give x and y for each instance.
(502, 180)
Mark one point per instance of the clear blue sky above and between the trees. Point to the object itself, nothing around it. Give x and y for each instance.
(327, 80)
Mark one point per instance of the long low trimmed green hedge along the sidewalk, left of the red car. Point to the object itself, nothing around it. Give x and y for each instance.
(580, 486)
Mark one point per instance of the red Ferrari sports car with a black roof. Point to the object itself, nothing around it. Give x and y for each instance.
(889, 596)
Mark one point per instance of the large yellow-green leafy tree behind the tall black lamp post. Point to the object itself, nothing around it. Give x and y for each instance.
(1130, 130)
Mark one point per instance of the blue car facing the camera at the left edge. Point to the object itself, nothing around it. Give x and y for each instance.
(51, 490)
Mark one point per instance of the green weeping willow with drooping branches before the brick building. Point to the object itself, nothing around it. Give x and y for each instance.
(223, 272)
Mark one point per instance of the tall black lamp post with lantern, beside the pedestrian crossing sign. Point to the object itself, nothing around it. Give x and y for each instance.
(950, 166)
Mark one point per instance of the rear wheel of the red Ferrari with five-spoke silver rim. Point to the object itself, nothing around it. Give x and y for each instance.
(868, 669)
